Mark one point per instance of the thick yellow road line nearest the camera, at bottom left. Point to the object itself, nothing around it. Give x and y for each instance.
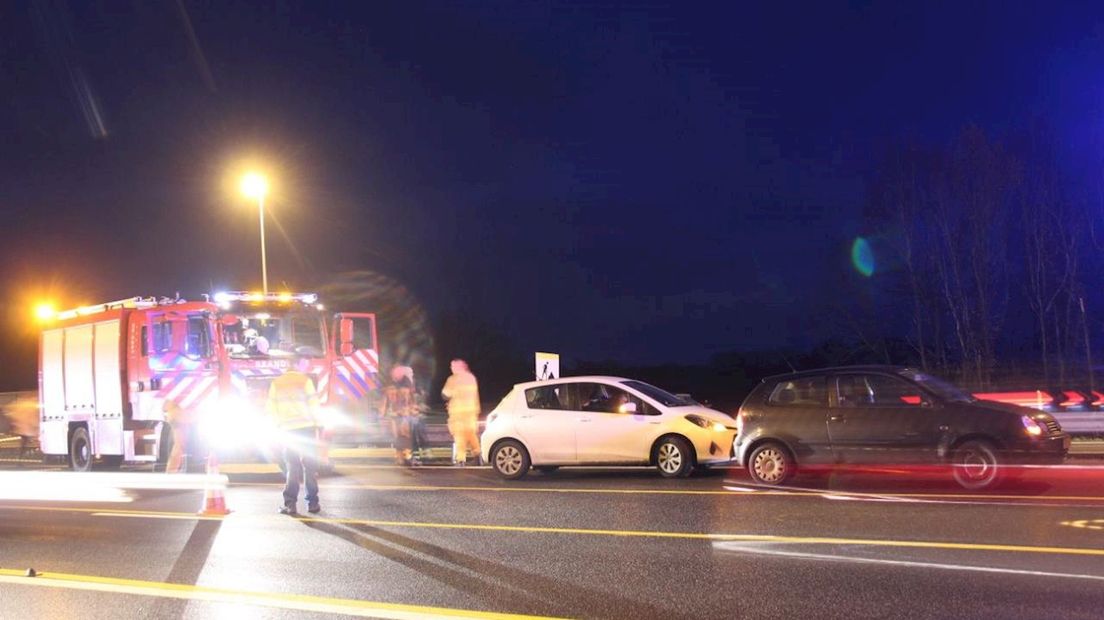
(299, 603)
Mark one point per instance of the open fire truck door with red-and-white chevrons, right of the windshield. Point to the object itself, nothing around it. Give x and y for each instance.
(357, 360)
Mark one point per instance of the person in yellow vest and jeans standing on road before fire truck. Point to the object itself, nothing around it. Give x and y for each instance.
(293, 404)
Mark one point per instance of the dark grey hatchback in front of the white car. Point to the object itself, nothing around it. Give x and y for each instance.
(888, 415)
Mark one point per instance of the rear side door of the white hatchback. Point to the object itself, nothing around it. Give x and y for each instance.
(547, 425)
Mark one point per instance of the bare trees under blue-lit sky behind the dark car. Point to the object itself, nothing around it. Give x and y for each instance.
(991, 238)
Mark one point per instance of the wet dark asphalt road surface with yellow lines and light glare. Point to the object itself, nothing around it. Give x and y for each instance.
(399, 543)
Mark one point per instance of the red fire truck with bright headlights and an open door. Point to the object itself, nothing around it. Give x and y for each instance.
(109, 373)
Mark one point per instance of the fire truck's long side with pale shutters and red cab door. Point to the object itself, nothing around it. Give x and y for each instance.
(109, 375)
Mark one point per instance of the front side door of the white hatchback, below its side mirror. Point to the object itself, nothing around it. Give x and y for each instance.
(614, 426)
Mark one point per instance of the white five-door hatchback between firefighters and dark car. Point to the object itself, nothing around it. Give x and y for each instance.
(603, 421)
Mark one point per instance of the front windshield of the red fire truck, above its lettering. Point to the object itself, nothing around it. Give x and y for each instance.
(274, 334)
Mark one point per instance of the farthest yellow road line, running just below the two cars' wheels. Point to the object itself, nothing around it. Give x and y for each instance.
(791, 494)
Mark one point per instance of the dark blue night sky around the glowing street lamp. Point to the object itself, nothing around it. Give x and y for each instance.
(624, 181)
